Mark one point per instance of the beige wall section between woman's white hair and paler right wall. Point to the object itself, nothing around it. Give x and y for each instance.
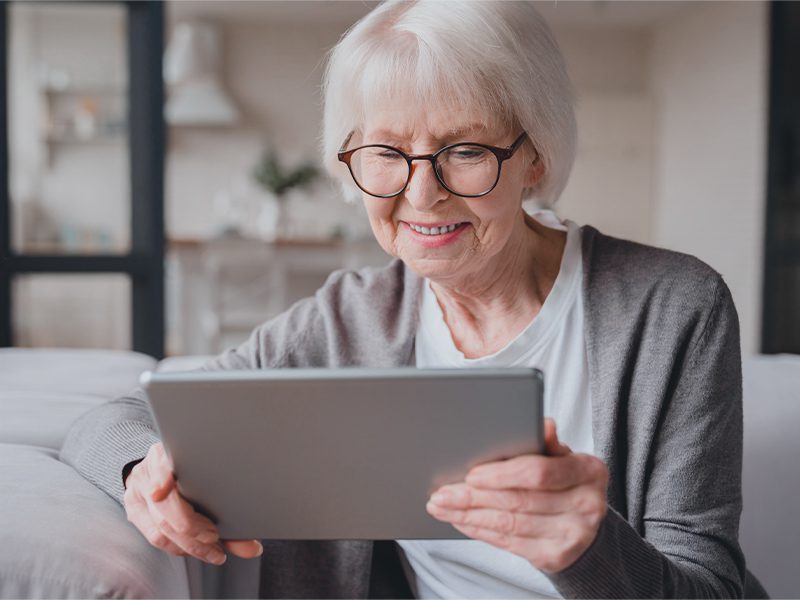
(610, 186)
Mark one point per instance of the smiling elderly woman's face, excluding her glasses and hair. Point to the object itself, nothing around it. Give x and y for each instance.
(485, 226)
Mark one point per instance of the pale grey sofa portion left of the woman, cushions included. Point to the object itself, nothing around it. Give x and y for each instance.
(61, 536)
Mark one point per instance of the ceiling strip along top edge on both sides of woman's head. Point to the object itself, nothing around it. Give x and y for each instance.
(560, 13)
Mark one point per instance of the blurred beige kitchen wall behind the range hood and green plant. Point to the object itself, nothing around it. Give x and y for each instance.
(273, 73)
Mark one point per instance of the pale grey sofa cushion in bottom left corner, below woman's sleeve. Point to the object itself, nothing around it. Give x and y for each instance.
(64, 538)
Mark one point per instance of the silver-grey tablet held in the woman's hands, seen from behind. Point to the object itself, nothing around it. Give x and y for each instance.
(338, 453)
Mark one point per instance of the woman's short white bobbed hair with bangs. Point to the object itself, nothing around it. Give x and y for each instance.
(497, 59)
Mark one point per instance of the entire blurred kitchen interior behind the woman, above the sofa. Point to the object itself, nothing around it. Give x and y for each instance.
(161, 187)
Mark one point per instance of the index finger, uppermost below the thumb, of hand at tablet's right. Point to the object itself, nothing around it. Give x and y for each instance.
(536, 472)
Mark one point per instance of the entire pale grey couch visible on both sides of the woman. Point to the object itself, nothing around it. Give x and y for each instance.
(62, 537)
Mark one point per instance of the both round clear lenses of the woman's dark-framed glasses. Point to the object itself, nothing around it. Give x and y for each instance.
(465, 169)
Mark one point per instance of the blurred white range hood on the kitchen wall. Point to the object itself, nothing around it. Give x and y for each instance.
(192, 71)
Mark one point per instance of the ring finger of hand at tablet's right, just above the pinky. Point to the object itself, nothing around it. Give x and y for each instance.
(503, 522)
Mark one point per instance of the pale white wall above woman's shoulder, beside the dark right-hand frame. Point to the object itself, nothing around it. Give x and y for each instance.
(709, 78)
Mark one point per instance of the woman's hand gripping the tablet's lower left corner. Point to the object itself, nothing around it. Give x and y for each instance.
(168, 521)
